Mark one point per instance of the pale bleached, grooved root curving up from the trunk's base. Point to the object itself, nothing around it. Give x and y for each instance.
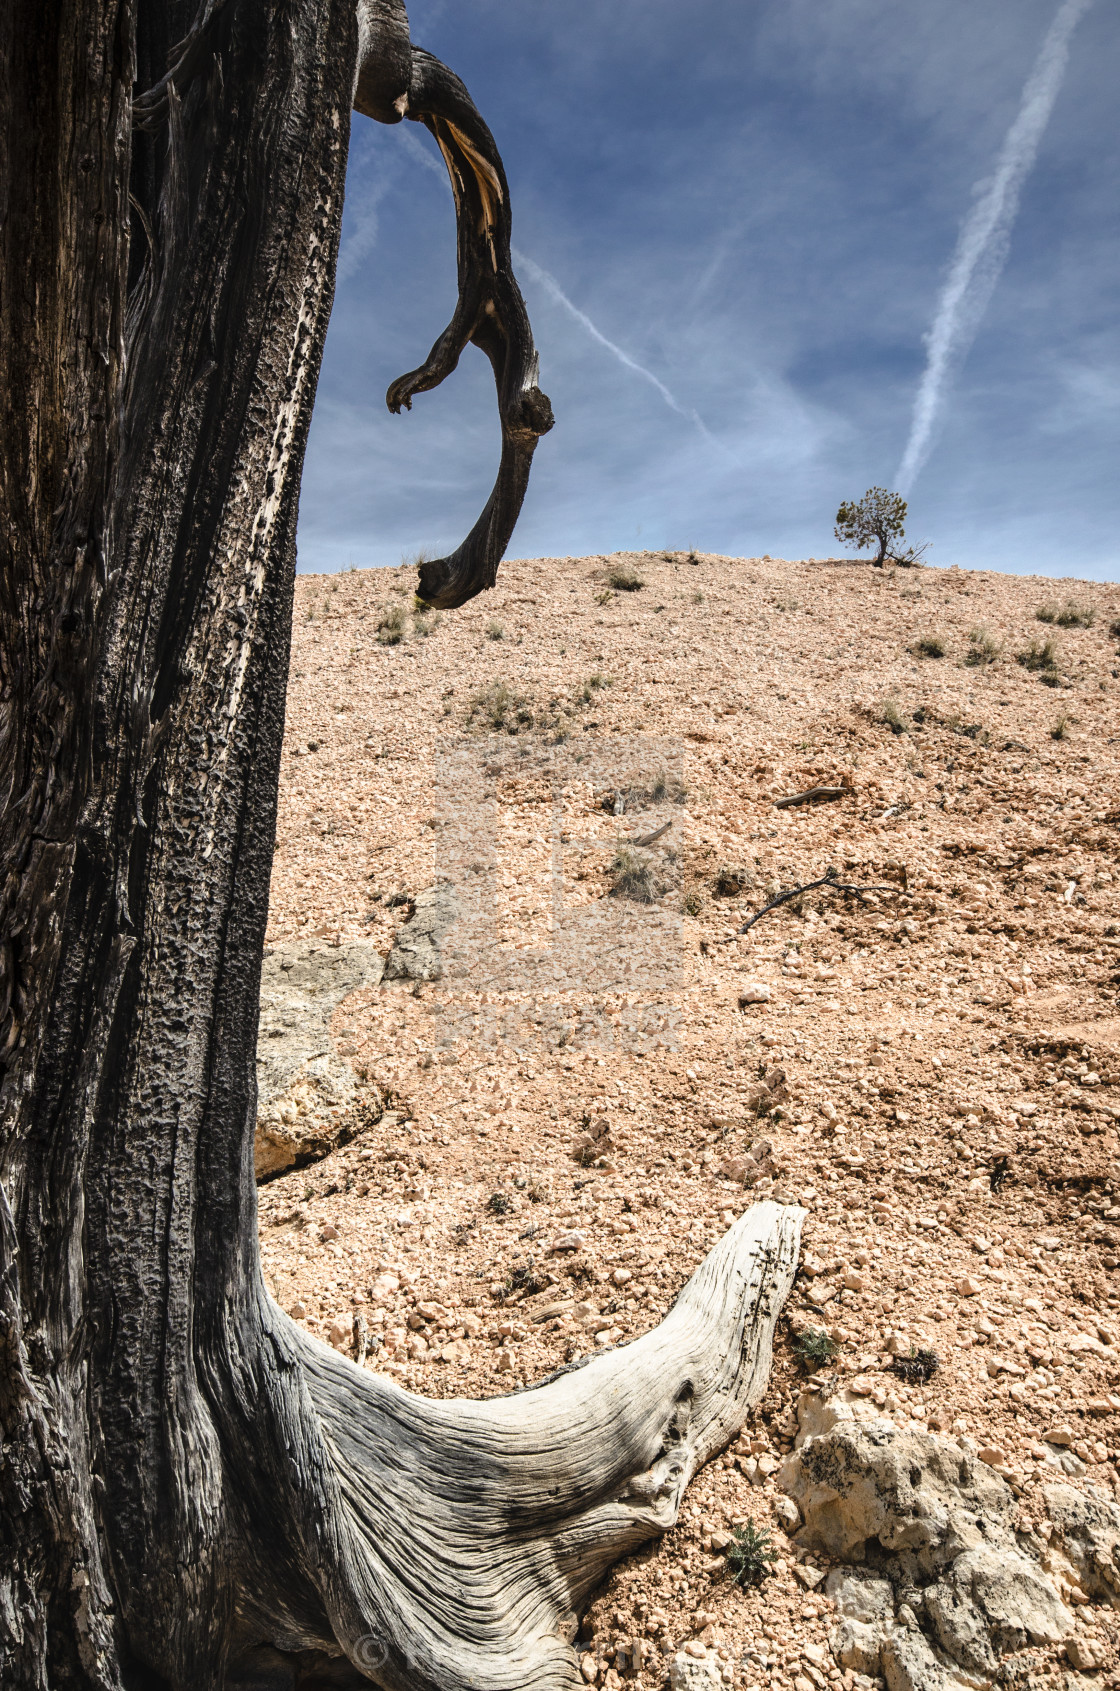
(459, 1541)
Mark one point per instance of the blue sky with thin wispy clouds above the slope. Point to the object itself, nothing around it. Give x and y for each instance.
(759, 204)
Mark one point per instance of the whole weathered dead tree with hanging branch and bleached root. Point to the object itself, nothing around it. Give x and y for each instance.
(194, 1494)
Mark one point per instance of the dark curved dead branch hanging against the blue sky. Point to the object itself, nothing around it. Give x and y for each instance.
(490, 312)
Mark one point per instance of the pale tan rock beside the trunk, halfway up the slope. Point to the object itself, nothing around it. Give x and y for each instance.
(305, 1085)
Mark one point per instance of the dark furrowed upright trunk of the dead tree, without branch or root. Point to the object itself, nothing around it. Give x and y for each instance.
(148, 567)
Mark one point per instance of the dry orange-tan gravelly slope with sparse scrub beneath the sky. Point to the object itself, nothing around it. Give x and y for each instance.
(935, 1068)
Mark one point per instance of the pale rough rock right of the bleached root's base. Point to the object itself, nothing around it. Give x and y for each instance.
(943, 1590)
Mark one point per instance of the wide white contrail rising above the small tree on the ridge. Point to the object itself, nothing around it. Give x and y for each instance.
(984, 243)
